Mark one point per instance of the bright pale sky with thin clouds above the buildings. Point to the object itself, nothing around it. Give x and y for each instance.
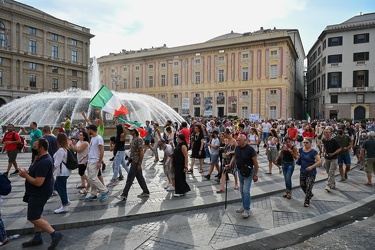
(136, 24)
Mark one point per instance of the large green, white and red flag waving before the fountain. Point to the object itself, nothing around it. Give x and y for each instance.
(105, 100)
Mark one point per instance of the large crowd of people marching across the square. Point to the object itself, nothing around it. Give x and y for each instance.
(227, 145)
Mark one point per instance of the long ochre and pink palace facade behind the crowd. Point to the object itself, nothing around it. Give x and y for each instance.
(259, 73)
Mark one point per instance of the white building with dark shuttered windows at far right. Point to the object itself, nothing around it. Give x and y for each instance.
(341, 70)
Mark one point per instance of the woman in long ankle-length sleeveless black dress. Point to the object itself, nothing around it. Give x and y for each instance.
(180, 166)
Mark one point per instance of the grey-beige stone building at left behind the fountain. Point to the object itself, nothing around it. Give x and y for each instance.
(39, 52)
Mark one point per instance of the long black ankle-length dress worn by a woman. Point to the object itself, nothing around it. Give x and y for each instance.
(181, 186)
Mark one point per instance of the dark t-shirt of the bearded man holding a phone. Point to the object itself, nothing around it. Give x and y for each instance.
(42, 167)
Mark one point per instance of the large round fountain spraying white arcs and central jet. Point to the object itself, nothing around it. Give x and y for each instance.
(50, 108)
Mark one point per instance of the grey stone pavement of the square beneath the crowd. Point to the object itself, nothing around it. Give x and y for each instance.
(196, 221)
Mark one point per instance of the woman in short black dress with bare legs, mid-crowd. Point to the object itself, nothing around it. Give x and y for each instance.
(197, 144)
